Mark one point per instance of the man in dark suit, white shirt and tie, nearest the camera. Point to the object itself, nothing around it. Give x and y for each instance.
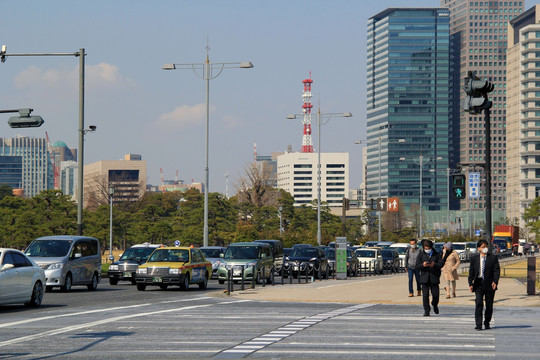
(484, 272)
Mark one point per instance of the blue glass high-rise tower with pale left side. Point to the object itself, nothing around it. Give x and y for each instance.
(407, 107)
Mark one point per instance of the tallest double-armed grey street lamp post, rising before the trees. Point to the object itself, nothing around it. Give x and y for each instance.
(210, 71)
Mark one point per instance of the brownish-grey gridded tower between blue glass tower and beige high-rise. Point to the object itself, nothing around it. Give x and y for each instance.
(478, 43)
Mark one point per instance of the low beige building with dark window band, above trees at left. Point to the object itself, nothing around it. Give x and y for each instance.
(127, 177)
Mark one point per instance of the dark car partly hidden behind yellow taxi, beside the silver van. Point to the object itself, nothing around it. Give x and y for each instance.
(126, 266)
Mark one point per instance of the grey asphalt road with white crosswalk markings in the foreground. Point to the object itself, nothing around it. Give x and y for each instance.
(119, 322)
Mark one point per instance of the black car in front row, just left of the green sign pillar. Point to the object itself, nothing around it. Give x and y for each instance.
(306, 258)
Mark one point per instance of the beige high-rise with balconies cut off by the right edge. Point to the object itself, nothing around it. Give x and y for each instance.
(523, 113)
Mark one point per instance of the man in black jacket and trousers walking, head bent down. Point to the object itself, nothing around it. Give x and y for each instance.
(429, 263)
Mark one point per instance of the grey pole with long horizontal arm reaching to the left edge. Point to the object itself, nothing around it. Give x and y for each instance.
(80, 158)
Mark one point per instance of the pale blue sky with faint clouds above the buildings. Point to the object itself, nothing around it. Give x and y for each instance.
(139, 108)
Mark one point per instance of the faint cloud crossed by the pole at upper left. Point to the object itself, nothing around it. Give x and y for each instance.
(97, 78)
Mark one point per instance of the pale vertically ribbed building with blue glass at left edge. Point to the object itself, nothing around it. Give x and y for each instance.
(27, 163)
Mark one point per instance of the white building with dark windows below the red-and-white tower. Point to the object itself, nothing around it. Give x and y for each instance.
(297, 174)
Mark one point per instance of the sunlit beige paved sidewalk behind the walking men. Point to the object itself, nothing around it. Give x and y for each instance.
(384, 290)
